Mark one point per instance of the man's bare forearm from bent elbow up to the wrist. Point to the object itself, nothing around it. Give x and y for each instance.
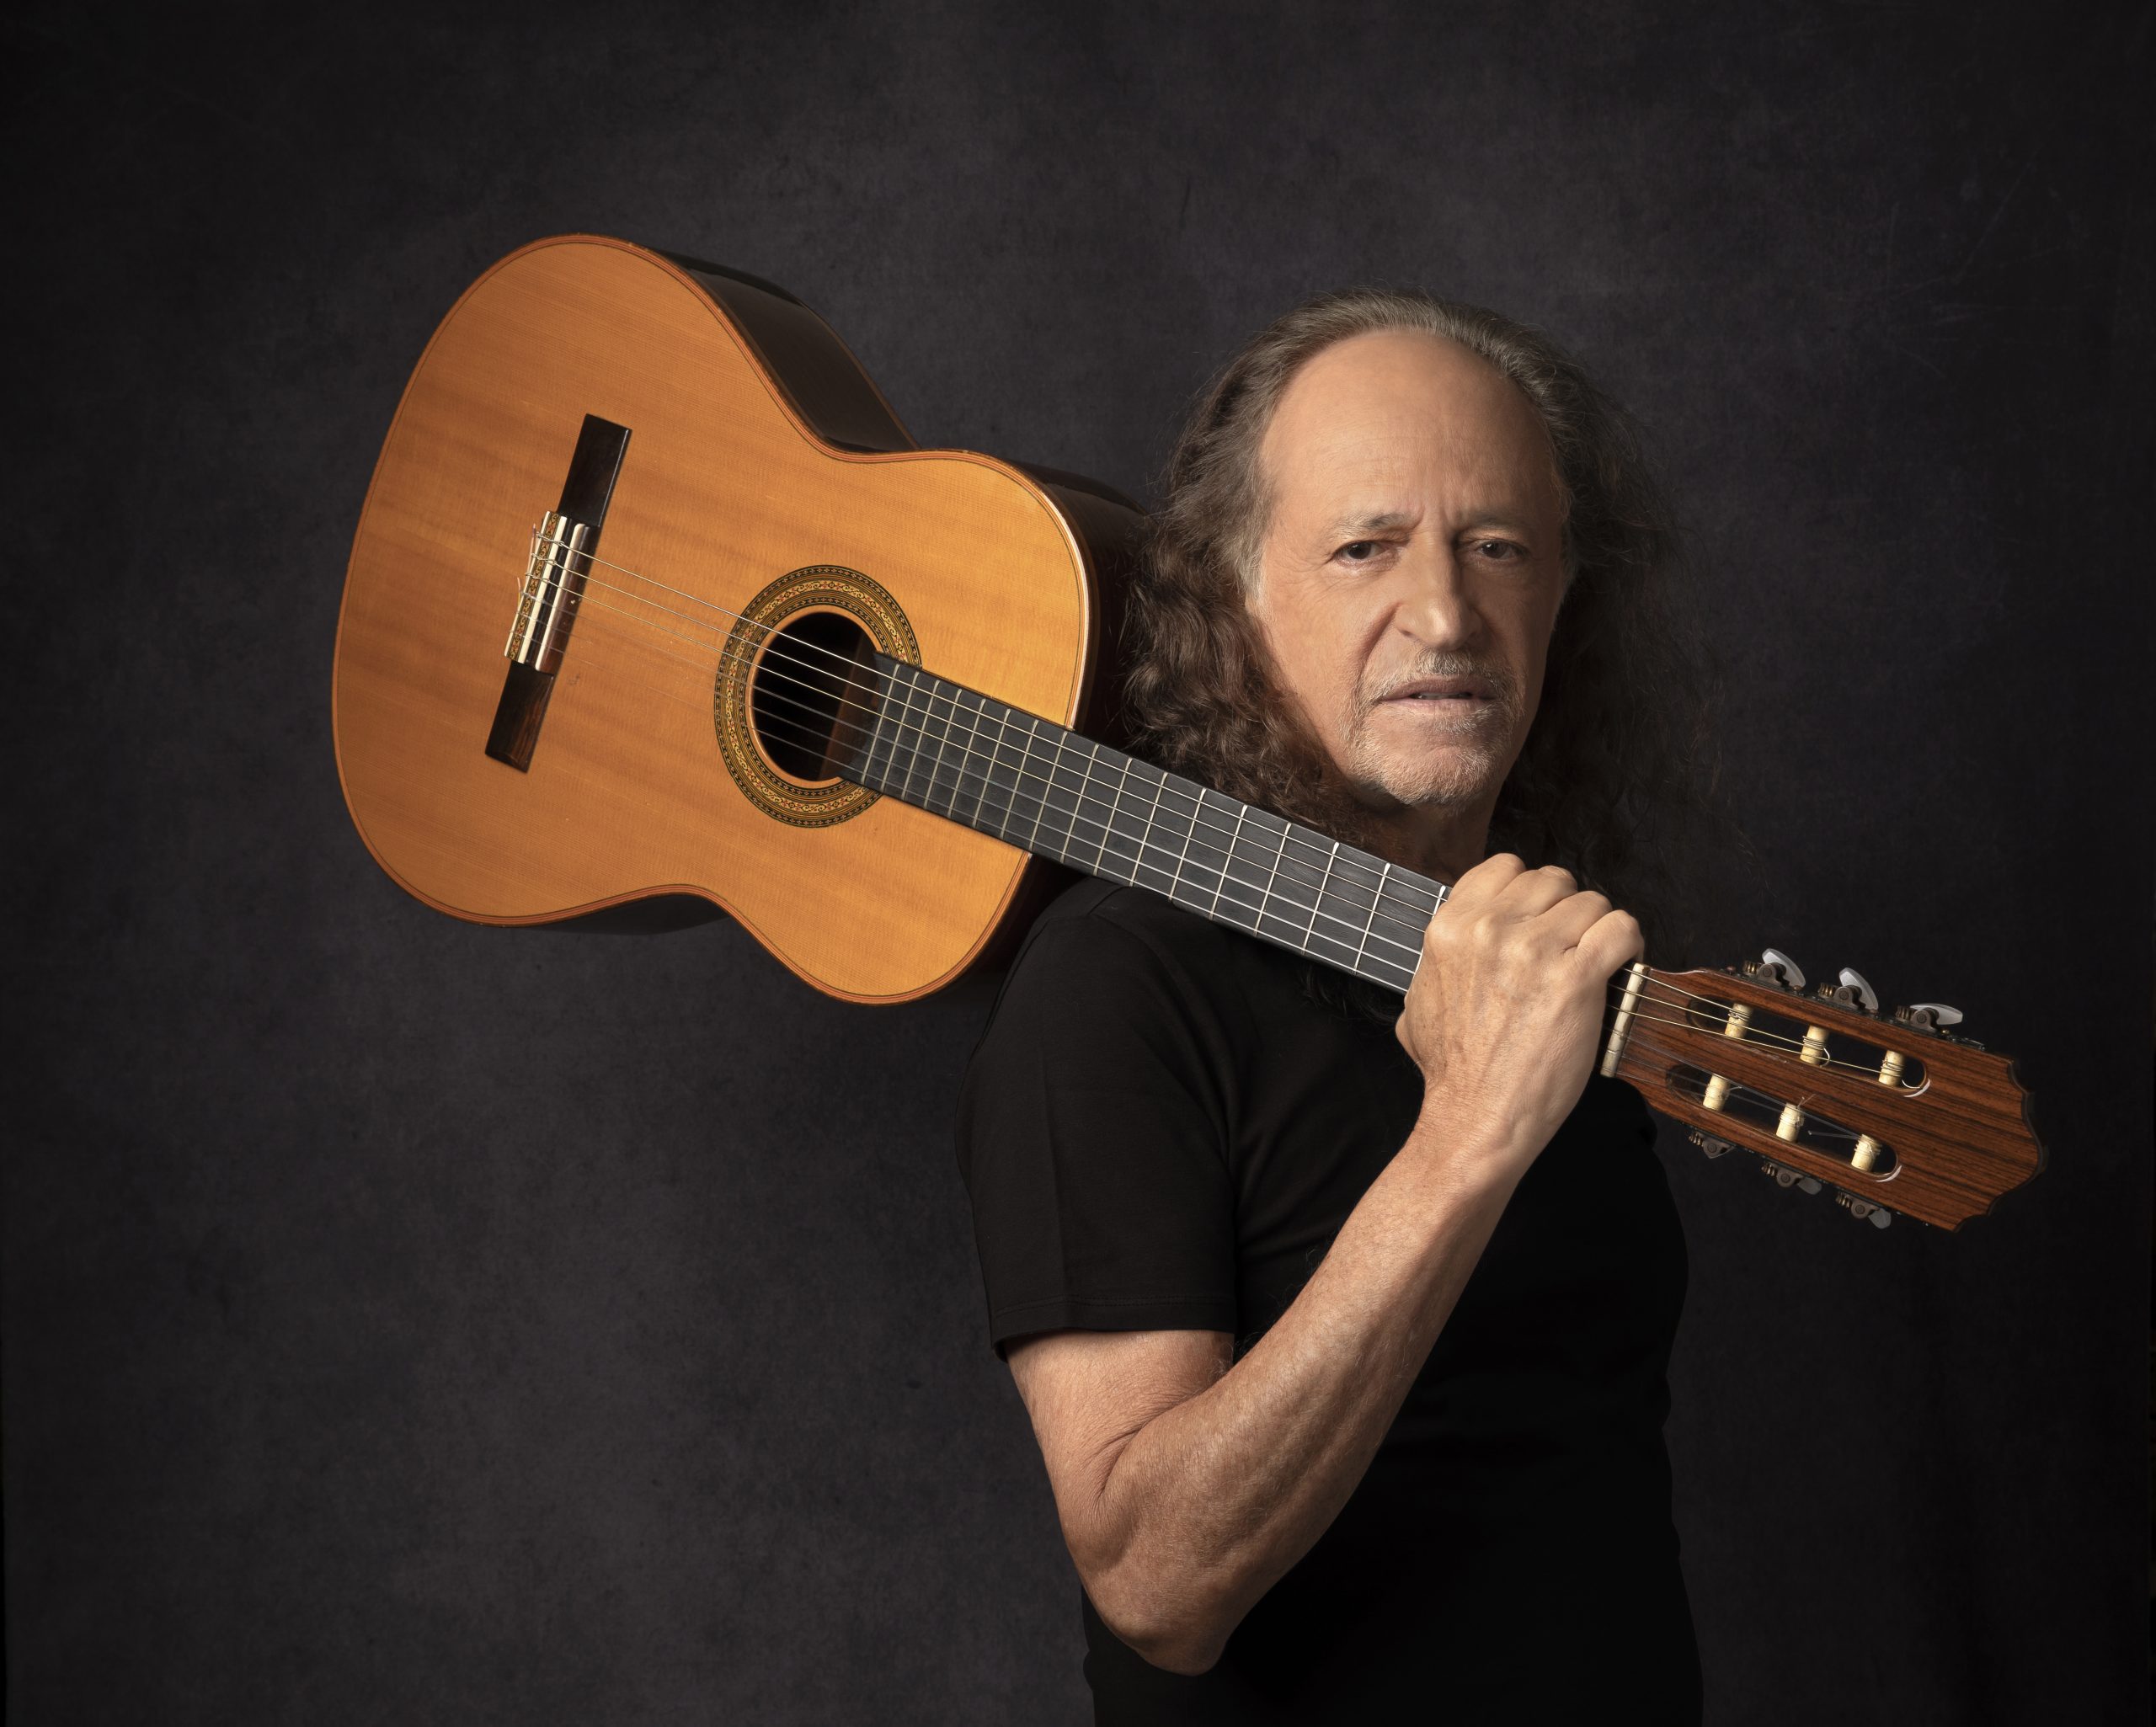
(1204, 1506)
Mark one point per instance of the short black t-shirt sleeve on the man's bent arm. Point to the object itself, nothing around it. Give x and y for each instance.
(1094, 1144)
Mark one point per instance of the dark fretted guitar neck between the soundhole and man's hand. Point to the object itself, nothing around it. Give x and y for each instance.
(1032, 784)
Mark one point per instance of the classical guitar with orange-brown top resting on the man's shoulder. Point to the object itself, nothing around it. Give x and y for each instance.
(654, 600)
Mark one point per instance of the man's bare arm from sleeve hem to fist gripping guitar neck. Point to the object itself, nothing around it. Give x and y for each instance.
(1189, 1487)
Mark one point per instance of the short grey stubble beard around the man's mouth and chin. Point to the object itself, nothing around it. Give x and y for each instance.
(1454, 758)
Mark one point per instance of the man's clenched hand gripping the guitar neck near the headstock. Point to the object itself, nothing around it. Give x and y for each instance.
(1506, 1010)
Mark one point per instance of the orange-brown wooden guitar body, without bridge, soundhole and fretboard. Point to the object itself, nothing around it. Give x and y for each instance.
(756, 450)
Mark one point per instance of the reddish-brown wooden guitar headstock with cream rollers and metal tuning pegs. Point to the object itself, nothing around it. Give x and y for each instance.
(1894, 1111)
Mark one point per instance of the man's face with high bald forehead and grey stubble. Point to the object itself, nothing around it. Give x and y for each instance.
(1411, 566)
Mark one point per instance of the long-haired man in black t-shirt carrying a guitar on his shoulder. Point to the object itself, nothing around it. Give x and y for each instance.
(1344, 1340)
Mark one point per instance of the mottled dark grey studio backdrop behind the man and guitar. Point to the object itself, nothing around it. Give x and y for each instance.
(421, 1323)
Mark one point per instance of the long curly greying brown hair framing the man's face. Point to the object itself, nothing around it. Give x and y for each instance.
(1618, 756)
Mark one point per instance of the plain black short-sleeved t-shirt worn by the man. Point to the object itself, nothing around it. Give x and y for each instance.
(1163, 1129)
